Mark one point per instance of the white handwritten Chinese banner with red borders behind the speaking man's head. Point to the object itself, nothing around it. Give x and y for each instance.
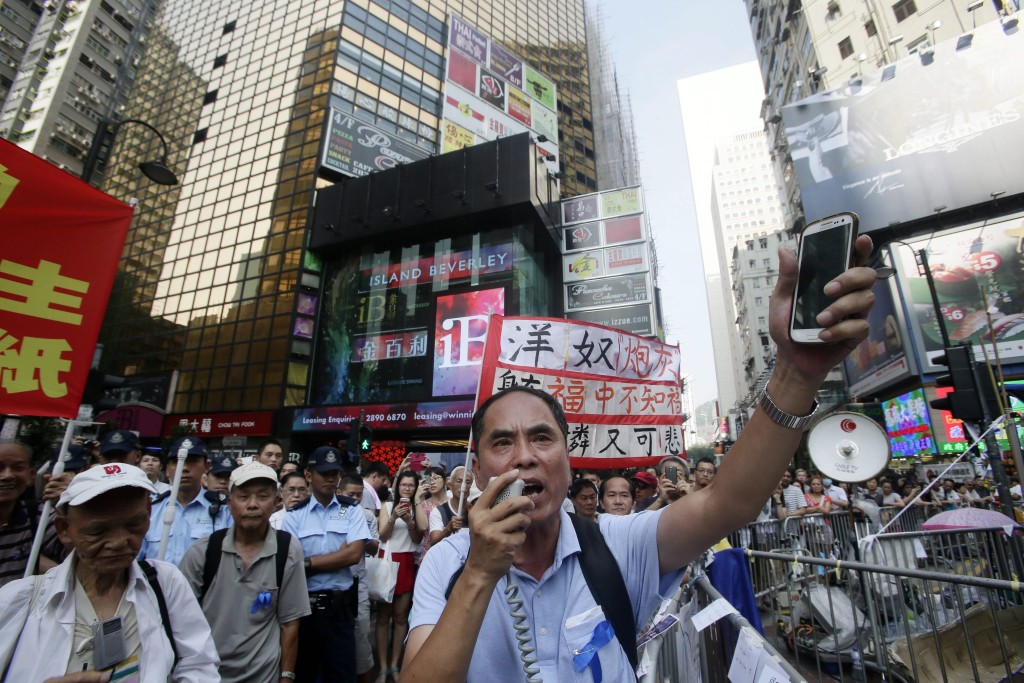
(621, 393)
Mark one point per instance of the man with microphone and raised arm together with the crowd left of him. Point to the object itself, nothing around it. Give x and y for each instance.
(519, 584)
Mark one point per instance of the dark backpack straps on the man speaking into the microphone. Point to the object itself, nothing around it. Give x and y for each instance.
(606, 582)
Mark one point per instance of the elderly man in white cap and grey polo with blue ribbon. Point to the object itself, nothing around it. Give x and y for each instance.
(251, 584)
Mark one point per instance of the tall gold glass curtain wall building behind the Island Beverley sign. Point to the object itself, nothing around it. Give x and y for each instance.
(214, 270)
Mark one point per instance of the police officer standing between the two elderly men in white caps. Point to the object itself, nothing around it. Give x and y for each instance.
(196, 518)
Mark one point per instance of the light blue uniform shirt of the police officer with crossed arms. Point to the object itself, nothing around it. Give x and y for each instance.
(324, 530)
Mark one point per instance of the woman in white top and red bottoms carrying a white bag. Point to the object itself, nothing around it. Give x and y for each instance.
(400, 531)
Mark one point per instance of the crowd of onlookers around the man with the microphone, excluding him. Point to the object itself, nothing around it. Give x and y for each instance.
(324, 523)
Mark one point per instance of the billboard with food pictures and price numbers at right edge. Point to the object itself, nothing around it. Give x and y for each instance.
(963, 263)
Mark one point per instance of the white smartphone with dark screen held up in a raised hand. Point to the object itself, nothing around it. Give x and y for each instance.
(826, 252)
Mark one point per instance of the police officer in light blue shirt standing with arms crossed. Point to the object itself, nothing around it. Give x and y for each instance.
(332, 534)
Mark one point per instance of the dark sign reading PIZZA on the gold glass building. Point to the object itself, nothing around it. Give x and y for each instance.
(355, 148)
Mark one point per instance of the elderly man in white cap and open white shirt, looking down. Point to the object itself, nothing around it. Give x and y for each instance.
(100, 615)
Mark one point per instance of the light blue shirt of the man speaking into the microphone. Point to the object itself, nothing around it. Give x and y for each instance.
(562, 613)
